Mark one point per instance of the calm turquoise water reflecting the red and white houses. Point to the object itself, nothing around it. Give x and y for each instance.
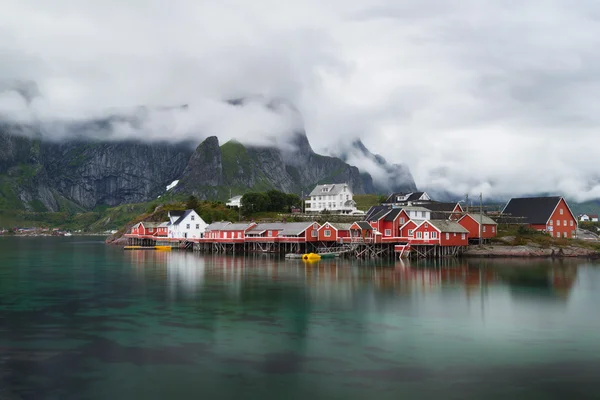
(81, 320)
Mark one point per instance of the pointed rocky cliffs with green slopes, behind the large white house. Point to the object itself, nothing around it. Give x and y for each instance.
(294, 169)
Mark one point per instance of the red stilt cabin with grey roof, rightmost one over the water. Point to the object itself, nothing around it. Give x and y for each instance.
(440, 232)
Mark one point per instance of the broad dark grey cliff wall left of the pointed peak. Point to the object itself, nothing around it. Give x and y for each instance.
(42, 175)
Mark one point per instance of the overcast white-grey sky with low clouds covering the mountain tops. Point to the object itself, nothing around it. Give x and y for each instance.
(474, 95)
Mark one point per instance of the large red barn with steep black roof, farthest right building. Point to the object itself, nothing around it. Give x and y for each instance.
(546, 214)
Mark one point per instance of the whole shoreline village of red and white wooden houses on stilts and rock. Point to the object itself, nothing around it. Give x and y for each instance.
(403, 225)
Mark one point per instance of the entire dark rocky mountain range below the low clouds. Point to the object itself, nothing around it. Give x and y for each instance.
(80, 174)
